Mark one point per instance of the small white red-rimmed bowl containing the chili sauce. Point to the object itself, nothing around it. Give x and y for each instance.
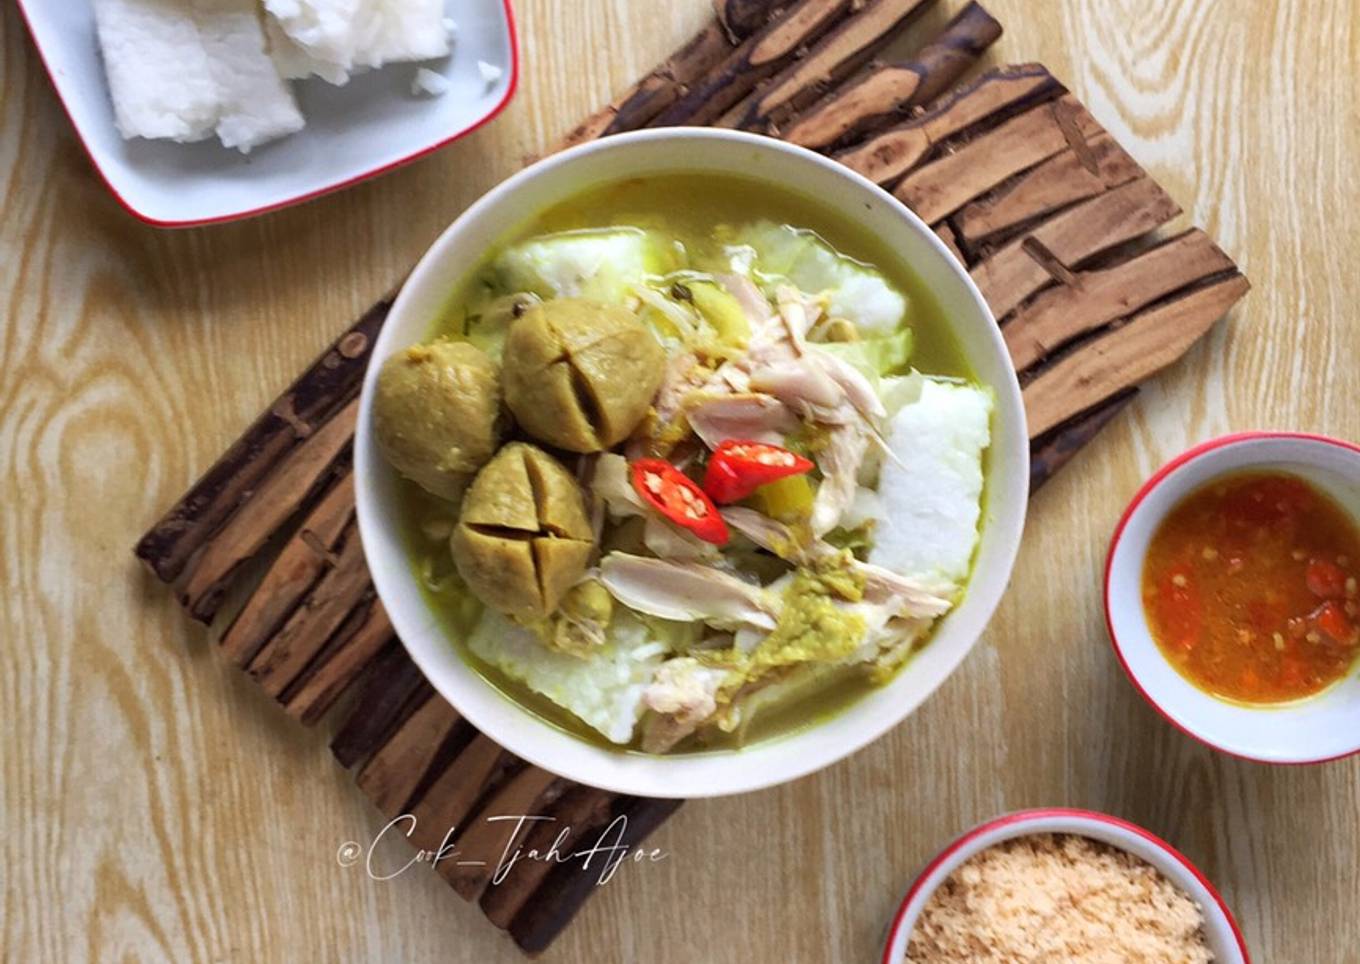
(1312, 731)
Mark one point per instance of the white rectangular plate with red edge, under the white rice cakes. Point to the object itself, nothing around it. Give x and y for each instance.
(354, 133)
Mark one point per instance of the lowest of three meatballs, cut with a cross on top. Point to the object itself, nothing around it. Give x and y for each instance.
(524, 535)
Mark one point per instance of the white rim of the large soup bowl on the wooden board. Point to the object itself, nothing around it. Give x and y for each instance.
(1006, 526)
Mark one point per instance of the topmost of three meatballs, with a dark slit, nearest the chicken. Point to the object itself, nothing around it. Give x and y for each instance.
(581, 376)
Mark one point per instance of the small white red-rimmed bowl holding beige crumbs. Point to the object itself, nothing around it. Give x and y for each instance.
(1219, 927)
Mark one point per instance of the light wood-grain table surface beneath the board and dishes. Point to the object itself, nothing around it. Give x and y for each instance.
(154, 806)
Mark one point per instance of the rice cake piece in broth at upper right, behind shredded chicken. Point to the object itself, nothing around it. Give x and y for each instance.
(856, 292)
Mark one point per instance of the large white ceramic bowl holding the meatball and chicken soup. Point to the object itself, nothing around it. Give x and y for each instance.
(772, 762)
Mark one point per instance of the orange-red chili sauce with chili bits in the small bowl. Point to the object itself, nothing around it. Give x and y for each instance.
(1251, 589)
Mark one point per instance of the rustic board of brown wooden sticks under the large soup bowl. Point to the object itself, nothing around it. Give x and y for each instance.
(1056, 222)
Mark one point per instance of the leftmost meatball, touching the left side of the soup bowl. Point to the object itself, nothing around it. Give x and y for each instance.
(437, 414)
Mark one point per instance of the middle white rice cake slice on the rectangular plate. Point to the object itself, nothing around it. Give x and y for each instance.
(255, 103)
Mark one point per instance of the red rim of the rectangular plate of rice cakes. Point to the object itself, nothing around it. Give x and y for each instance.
(304, 198)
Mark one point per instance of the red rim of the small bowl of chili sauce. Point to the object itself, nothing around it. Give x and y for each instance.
(1154, 483)
